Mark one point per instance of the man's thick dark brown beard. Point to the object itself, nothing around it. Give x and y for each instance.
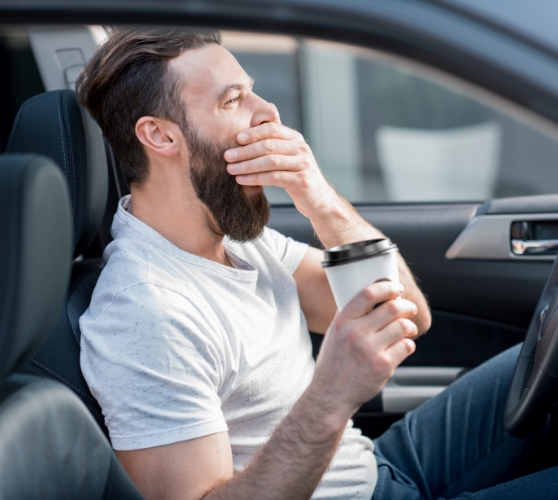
(239, 216)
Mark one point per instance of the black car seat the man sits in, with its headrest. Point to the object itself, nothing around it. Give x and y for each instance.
(55, 125)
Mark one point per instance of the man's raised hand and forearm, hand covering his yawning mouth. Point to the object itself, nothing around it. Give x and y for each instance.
(274, 155)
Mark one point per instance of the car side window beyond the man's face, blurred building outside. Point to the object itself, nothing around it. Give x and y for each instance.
(387, 130)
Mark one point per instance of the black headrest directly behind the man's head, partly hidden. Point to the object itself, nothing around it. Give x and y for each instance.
(54, 124)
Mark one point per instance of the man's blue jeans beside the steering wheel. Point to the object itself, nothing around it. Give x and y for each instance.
(455, 445)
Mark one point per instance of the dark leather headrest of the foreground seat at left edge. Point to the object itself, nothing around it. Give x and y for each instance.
(35, 254)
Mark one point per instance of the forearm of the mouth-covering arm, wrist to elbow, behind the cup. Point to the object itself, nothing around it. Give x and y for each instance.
(337, 223)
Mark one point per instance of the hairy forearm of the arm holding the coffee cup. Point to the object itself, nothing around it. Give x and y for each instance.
(294, 459)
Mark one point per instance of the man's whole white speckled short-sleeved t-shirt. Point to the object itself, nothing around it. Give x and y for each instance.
(175, 347)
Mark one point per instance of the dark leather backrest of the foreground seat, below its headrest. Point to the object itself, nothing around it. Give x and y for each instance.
(51, 448)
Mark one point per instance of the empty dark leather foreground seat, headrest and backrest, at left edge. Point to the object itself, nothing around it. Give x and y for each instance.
(50, 446)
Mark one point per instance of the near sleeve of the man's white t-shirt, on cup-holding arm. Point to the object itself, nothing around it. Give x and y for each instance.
(155, 364)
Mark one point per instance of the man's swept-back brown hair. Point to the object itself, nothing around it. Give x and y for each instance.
(129, 77)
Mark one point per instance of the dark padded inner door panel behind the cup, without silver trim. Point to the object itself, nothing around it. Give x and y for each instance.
(479, 307)
